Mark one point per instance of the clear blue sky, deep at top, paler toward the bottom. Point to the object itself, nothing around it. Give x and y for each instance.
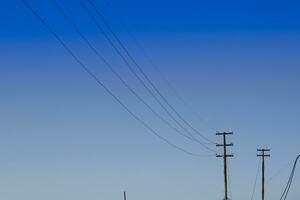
(63, 137)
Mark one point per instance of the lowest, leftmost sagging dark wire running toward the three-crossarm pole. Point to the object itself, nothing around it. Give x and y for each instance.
(93, 76)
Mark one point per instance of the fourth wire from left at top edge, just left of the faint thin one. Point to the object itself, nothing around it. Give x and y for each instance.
(144, 74)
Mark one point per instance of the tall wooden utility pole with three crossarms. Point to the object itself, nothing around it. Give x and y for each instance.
(225, 156)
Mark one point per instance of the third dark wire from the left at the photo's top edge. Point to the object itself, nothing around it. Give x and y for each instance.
(140, 80)
